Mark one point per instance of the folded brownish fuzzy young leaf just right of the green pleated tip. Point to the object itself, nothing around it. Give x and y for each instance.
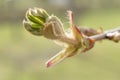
(53, 28)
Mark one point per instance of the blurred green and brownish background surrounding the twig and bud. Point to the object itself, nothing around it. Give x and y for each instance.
(22, 55)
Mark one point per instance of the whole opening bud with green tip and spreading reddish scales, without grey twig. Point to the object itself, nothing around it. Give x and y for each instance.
(38, 22)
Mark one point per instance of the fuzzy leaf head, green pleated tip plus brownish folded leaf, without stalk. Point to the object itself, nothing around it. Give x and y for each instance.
(38, 22)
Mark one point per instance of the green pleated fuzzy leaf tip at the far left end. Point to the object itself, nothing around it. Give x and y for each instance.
(35, 21)
